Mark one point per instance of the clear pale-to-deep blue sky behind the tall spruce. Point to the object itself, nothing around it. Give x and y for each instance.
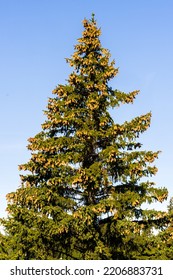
(36, 36)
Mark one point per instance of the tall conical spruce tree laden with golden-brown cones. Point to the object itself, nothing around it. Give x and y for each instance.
(87, 180)
